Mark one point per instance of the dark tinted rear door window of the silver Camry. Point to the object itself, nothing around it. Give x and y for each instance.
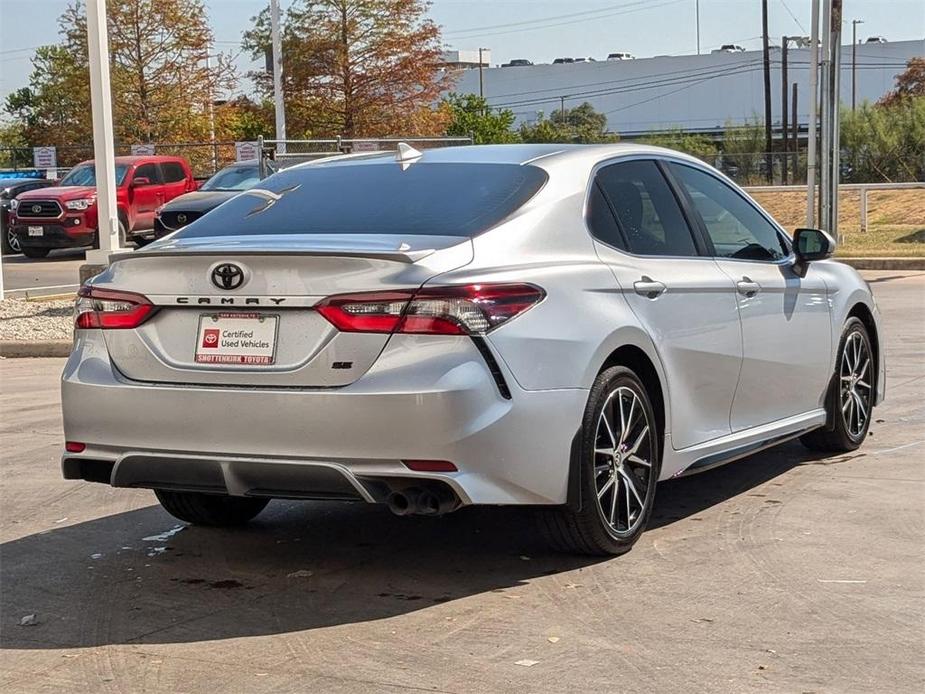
(647, 212)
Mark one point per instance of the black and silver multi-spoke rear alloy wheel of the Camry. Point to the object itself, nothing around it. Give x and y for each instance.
(623, 461)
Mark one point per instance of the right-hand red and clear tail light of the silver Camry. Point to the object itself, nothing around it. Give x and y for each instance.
(461, 310)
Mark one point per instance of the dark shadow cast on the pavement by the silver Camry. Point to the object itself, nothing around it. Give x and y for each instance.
(129, 578)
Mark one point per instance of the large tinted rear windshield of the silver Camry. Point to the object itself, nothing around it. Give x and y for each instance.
(441, 199)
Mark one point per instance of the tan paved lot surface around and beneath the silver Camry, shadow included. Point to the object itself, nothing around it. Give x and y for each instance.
(781, 572)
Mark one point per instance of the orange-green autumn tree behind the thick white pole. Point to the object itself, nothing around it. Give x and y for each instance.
(162, 76)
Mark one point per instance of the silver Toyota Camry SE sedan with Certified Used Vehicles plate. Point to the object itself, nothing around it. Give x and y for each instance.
(551, 326)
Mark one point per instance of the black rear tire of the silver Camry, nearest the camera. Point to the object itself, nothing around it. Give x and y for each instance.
(587, 530)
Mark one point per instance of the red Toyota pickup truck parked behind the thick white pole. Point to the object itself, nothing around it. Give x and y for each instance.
(65, 216)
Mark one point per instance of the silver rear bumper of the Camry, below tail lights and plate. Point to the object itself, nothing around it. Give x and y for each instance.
(443, 406)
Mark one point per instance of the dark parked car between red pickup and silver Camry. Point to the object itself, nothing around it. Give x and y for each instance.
(223, 186)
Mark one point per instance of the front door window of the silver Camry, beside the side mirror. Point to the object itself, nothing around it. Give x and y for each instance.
(736, 228)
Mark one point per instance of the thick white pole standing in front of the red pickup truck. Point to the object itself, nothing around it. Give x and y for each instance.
(104, 151)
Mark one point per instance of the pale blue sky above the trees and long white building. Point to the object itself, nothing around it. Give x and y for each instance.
(539, 30)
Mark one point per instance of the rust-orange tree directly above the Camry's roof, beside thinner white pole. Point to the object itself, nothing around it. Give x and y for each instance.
(362, 68)
